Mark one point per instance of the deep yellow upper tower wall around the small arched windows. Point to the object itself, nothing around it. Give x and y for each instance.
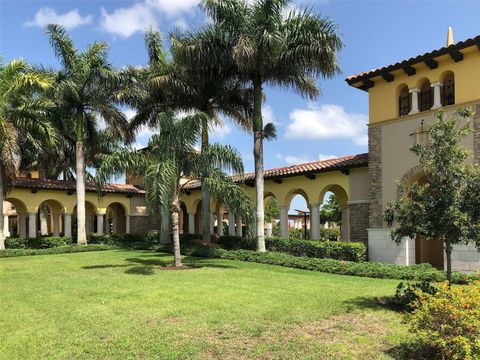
(383, 98)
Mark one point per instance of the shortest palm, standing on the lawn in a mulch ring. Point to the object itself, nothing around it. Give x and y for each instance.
(171, 156)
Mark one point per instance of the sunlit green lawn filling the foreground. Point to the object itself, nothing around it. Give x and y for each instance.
(121, 305)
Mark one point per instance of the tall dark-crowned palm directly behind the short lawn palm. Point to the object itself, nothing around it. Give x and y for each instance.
(182, 84)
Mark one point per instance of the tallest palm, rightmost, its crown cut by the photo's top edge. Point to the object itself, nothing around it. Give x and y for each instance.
(269, 45)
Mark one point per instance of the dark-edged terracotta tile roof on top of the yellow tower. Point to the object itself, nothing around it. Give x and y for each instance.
(414, 60)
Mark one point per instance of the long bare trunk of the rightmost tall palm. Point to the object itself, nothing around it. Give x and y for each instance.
(258, 156)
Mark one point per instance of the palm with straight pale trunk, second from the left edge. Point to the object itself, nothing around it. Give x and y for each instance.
(85, 90)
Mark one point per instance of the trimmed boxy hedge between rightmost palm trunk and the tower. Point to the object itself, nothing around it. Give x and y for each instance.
(349, 251)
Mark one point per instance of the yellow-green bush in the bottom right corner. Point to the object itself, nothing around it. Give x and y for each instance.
(447, 324)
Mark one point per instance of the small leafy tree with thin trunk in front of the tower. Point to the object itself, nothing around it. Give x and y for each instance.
(446, 205)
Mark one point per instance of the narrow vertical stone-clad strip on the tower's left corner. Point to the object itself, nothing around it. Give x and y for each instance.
(375, 176)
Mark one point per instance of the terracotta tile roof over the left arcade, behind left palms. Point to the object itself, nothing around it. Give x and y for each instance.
(48, 184)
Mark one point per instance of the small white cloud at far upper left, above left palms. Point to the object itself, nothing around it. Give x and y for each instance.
(70, 20)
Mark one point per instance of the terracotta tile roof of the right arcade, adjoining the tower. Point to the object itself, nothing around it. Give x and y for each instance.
(311, 168)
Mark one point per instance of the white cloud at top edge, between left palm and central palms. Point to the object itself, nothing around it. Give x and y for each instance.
(127, 21)
